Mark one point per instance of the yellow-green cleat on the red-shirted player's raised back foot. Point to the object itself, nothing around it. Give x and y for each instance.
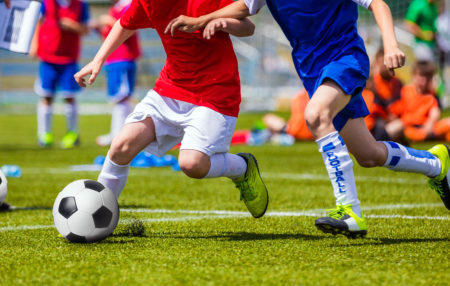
(253, 190)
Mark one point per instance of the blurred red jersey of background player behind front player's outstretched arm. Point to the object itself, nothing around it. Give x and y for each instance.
(129, 50)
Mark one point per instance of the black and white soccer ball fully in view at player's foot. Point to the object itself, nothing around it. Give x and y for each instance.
(85, 211)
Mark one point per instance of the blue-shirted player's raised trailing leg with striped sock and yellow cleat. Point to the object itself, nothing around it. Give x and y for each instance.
(434, 163)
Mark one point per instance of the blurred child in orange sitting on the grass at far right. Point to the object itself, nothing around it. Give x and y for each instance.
(418, 108)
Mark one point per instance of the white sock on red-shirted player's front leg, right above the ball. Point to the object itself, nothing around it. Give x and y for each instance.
(114, 176)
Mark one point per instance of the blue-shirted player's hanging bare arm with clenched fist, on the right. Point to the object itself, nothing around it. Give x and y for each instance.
(393, 56)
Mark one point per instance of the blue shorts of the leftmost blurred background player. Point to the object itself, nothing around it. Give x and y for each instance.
(55, 77)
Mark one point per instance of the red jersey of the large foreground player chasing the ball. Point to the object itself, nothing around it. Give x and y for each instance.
(198, 71)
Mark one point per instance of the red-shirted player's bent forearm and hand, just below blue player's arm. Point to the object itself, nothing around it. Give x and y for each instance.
(235, 27)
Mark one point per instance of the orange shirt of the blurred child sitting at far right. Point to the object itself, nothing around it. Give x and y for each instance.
(416, 107)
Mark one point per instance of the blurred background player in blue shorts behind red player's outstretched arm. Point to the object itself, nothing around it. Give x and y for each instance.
(120, 69)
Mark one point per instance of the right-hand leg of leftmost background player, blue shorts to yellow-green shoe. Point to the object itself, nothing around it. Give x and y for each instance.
(69, 88)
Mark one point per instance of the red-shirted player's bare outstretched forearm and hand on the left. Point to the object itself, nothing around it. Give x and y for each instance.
(115, 38)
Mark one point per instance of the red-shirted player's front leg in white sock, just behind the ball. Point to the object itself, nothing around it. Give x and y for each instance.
(132, 139)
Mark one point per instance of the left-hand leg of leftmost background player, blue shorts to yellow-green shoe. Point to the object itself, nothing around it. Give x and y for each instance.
(45, 87)
